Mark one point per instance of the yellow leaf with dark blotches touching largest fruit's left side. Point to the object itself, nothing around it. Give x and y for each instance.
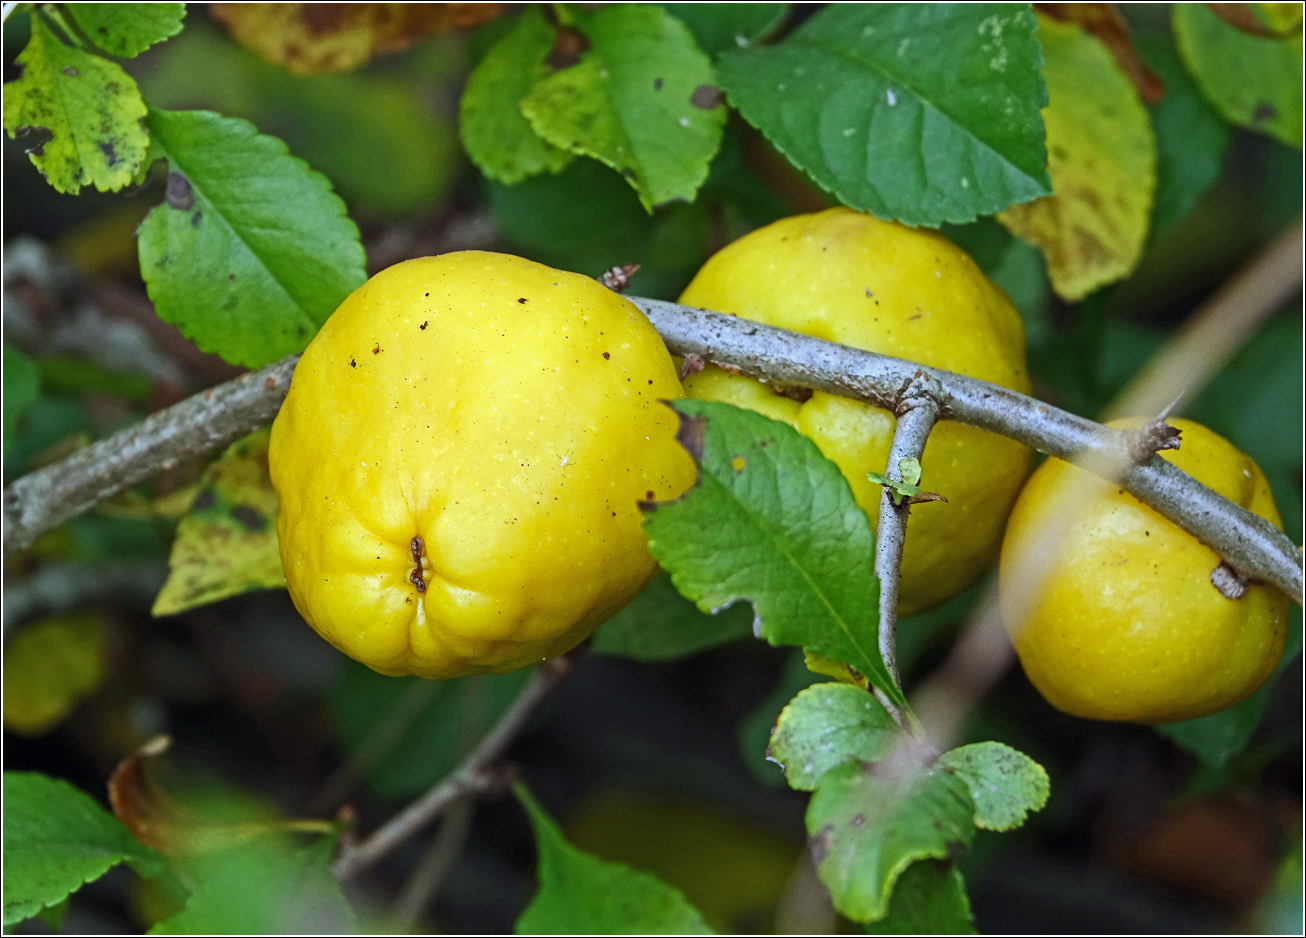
(228, 543)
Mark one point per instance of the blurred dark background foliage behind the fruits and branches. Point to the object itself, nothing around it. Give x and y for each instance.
(656, 764)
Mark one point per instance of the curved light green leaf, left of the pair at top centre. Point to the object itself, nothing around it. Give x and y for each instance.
(496, 134)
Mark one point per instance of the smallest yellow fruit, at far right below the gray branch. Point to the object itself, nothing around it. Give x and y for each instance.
(1128, 624)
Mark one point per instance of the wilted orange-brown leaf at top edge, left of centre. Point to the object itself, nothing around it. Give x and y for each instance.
(322, 37)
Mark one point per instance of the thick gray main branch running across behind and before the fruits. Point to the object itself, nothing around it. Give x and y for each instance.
(1250, 545)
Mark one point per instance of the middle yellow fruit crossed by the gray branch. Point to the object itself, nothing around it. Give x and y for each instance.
(910, 293)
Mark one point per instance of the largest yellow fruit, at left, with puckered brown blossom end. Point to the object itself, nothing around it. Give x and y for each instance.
(460, 462)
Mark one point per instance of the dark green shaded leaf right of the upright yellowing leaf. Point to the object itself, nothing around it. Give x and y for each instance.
(1190, 137)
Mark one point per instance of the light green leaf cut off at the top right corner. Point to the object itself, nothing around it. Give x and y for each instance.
(1253, 82)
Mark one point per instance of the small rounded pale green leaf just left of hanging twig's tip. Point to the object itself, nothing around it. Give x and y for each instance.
(827, 726)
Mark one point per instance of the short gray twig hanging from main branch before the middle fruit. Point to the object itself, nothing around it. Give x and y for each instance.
(916, 413)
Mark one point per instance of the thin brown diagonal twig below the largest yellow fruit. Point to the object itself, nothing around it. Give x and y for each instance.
(475, 775)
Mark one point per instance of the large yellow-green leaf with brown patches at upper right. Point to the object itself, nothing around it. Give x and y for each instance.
(1102, 156)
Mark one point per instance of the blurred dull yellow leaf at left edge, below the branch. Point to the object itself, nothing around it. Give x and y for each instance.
(52, 667)
